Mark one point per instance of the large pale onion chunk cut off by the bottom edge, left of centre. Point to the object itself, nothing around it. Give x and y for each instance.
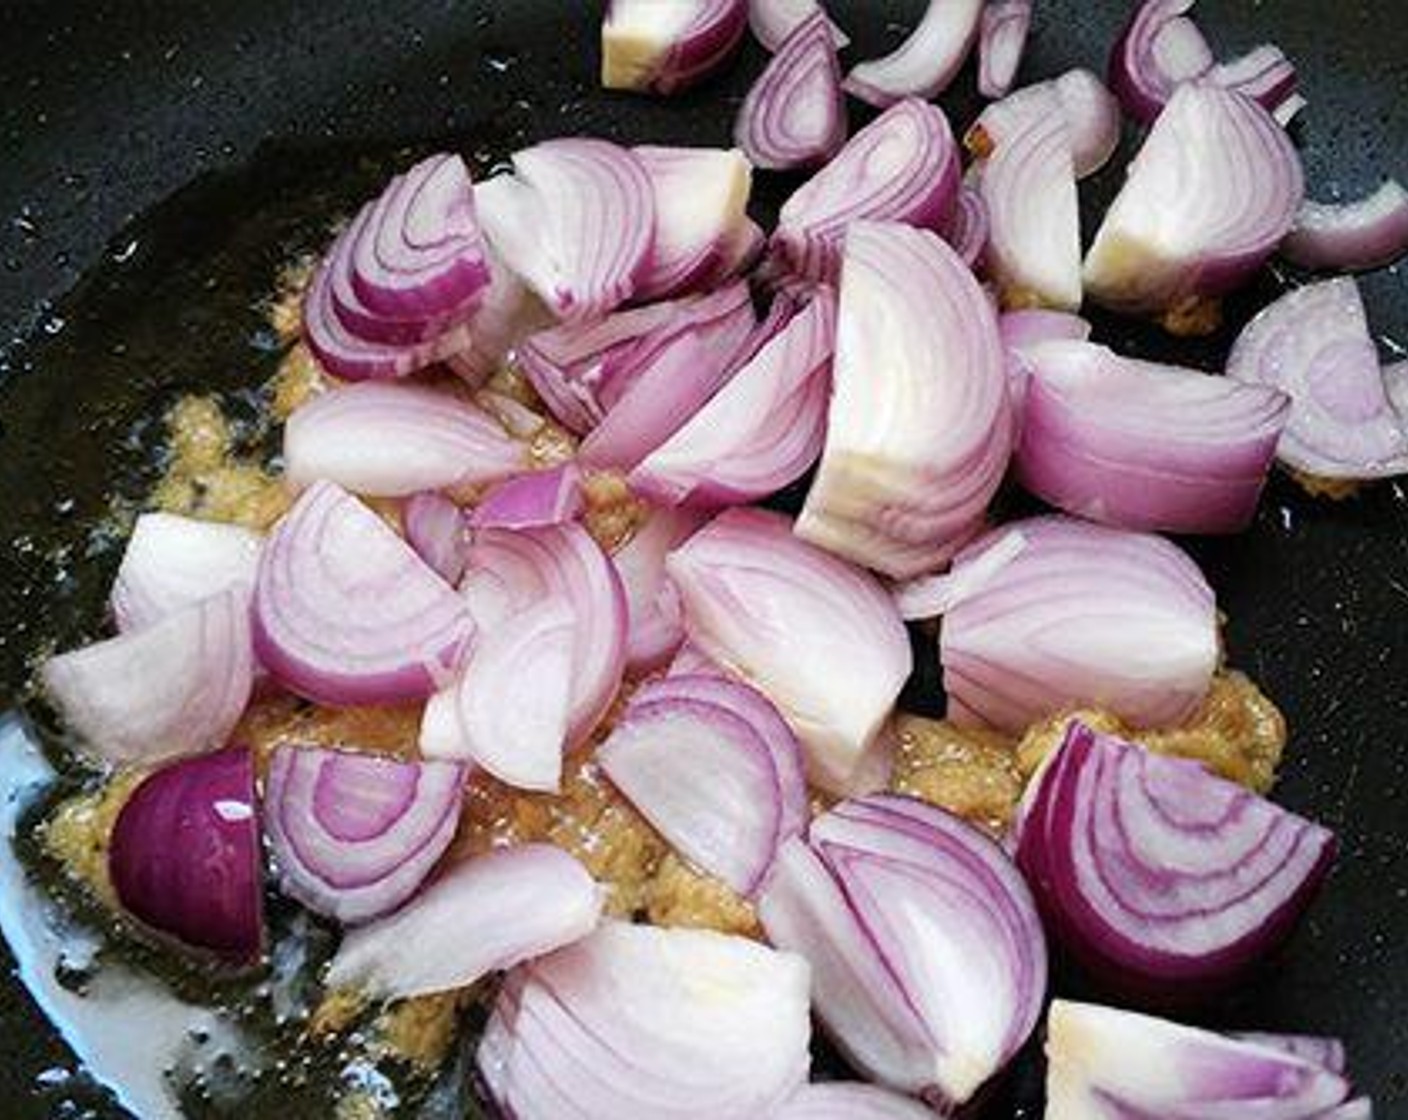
(634, 1021)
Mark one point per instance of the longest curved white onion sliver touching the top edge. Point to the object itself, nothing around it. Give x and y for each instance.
(924, 64)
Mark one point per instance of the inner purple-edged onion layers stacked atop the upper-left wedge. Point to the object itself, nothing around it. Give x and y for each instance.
(422, 254)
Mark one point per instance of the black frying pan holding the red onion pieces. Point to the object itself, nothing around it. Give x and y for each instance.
(247, 125)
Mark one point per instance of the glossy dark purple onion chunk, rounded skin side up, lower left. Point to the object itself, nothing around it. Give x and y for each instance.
(185, 857)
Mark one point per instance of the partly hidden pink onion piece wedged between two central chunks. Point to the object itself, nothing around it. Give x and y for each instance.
(657, 625)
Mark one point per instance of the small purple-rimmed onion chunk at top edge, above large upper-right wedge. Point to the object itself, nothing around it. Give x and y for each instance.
(1159, 49)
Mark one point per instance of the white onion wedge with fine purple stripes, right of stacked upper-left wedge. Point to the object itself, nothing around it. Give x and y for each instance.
(577, 222)
